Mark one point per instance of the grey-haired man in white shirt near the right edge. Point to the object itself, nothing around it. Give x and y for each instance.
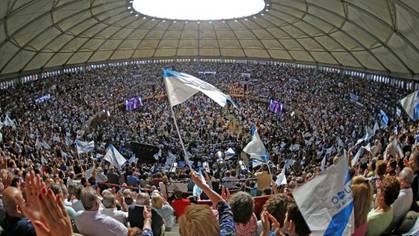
(404, 201)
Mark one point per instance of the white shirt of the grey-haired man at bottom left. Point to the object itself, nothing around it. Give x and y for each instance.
(94, 223)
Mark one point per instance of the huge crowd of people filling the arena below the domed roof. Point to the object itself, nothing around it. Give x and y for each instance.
(48, 188)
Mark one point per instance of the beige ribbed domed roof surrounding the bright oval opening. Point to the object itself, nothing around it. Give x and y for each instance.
(366, 35)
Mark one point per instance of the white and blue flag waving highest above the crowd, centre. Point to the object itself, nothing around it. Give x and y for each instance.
(181, 86)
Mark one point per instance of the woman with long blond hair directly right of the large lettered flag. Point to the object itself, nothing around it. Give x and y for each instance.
(362, 197)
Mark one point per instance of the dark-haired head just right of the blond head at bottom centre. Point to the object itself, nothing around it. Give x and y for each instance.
(242, 207)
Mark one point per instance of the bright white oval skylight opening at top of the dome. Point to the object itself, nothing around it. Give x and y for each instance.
(198, 9)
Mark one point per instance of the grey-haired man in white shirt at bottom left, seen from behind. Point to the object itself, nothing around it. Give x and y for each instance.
(92, 222)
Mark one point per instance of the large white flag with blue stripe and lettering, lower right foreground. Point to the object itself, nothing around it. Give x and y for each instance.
(326, 201)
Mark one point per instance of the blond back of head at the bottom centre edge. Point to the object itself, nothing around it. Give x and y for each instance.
(198, 220)
